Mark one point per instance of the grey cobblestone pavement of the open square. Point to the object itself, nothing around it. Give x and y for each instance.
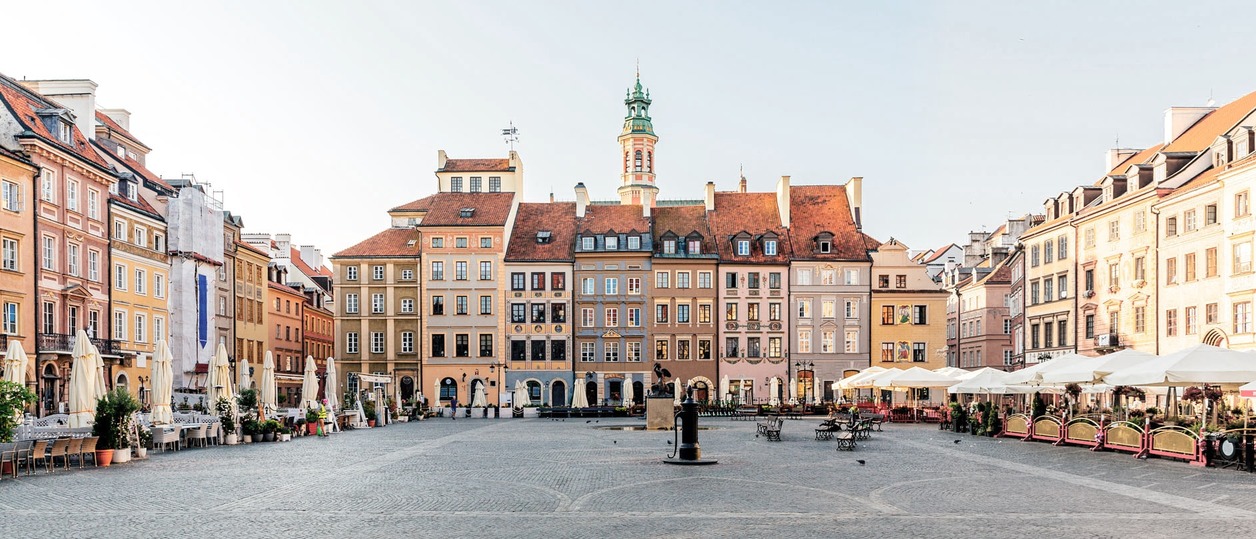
(572, 479)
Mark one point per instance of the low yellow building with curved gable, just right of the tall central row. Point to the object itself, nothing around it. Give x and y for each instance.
(909, 329)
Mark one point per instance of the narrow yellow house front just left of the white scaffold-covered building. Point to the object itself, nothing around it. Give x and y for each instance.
(139, 293)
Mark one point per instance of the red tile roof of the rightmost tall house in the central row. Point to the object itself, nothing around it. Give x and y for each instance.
(817, 209)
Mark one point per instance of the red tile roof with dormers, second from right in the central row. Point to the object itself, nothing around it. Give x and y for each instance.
(754, 213)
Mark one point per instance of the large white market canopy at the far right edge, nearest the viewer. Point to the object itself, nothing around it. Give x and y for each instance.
(1193, 366)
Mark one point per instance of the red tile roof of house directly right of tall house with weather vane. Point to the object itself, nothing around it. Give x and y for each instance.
(556, 218)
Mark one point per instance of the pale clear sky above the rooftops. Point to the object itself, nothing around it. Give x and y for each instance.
(316, 117)
